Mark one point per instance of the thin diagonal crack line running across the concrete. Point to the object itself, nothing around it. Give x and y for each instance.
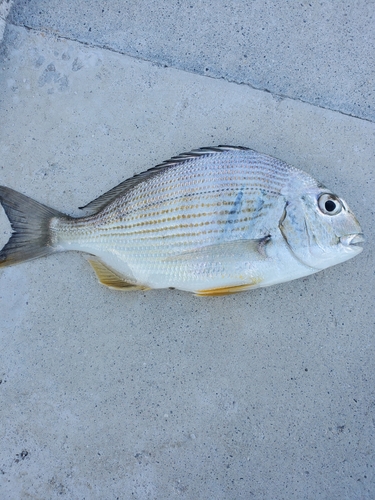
(164, 65)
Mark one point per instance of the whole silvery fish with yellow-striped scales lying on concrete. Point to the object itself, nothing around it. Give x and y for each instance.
(213, 221)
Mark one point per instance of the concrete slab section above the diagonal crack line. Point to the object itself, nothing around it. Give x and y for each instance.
(322, 52)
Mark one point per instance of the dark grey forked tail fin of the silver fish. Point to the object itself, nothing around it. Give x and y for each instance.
(30, 221)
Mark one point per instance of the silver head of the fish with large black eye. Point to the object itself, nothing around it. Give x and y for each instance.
(320, 229)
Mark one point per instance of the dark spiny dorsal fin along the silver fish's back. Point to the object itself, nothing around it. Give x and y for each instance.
(106, 198)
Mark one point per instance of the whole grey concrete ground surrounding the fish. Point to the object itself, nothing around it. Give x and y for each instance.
(267, 394)
